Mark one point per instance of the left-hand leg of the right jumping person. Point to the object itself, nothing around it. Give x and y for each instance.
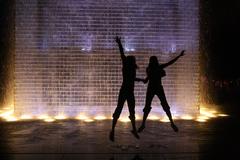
(147, 109)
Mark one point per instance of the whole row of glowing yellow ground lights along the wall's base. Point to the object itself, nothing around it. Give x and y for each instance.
(205, 114)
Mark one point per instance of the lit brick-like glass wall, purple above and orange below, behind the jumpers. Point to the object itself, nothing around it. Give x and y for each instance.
(67, 61)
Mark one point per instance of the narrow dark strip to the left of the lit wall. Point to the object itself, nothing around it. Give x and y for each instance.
(6, 47)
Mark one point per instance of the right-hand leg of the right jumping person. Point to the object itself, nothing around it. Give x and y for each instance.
(166, 108)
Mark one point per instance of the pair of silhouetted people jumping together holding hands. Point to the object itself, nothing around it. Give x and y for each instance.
(155, 72)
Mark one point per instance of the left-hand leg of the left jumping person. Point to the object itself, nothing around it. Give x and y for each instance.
(117, 112)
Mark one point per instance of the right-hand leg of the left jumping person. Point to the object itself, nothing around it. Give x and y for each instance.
(131, 108)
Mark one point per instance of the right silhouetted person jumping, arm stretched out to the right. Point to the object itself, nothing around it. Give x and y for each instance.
(155, 72)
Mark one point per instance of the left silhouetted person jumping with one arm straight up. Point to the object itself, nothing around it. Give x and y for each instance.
(127, 90)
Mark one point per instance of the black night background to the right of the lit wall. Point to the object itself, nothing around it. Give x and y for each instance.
(220, 53)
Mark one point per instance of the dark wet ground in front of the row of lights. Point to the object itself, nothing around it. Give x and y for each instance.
(72, 139)
